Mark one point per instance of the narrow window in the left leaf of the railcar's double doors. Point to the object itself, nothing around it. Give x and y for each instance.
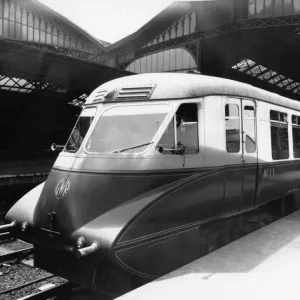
(232, 127)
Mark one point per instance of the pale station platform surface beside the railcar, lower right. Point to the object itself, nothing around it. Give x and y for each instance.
(262, 265)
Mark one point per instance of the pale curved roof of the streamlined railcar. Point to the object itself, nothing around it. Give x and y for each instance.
(179, 86)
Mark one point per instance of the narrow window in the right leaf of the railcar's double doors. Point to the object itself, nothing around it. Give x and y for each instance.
(249, 128)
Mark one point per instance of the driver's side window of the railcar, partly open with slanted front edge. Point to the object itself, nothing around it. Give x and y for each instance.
(186, 134)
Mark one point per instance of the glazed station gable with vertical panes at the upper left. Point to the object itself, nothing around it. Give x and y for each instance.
(34, 26)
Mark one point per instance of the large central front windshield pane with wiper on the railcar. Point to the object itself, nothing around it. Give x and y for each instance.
(127, 128)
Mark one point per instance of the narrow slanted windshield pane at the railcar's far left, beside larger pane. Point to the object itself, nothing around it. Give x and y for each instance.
(82, 126)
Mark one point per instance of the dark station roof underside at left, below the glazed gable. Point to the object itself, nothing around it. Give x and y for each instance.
(39, 66)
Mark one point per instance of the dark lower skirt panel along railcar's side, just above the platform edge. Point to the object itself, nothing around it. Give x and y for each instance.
(153, 257)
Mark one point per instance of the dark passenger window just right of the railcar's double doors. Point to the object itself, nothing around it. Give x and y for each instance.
(279, 135)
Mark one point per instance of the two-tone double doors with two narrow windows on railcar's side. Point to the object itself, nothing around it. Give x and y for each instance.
(241, 156)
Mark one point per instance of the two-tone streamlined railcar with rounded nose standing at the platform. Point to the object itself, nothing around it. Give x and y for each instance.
(150, 161)
